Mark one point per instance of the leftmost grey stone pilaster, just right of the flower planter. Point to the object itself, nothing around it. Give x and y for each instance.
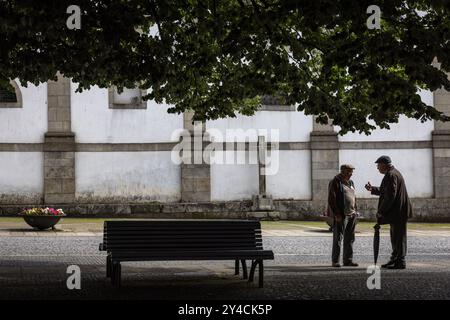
(59, 145)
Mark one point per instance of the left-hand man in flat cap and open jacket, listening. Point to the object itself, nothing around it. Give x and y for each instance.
(342, 207)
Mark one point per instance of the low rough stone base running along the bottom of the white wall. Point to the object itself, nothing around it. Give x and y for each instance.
(432, 210)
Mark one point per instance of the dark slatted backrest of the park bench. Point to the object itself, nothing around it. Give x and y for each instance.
(166, 235)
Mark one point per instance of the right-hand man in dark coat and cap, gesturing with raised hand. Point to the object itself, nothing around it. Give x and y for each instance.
(394, 208)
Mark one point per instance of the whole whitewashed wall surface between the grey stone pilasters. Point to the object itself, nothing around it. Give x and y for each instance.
(152, 176)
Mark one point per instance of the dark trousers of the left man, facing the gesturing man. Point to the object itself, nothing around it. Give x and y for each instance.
(346, 230)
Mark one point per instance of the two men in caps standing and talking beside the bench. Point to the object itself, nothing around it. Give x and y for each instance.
(394, 208)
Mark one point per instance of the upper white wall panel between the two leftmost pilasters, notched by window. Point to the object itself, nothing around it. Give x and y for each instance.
(94, 122)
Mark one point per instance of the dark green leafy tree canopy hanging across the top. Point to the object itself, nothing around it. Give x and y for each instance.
(218, 57)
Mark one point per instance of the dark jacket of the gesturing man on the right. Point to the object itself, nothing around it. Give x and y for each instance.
(394, 204)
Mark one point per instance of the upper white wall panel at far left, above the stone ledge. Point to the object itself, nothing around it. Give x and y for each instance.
(29, 123)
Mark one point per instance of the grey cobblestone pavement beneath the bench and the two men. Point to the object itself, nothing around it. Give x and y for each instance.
(34, 267)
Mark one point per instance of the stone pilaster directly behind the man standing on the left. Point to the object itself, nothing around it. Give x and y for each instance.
(324, 159)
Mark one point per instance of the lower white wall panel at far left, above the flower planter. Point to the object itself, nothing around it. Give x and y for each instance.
(22, 176)
